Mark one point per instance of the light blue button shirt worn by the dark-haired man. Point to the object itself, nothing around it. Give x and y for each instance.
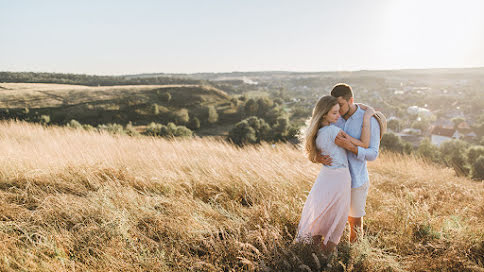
(357, 163)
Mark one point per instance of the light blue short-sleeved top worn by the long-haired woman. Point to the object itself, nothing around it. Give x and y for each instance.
(325, 142)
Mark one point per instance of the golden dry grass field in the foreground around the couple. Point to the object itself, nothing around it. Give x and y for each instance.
(72, 200)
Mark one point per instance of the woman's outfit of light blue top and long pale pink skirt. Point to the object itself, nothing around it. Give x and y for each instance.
(327, 206)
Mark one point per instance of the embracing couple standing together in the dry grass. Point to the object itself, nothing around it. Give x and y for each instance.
(342, 136)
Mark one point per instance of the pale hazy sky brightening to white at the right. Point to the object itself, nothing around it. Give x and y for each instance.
(180, 36)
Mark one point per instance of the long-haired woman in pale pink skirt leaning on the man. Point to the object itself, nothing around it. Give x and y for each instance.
(326, 209)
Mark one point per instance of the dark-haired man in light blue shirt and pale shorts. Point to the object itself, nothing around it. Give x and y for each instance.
(351, 122)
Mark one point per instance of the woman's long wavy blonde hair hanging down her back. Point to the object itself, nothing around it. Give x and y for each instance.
(324, 105)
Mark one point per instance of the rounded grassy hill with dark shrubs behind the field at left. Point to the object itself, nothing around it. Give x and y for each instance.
(140, 104)
